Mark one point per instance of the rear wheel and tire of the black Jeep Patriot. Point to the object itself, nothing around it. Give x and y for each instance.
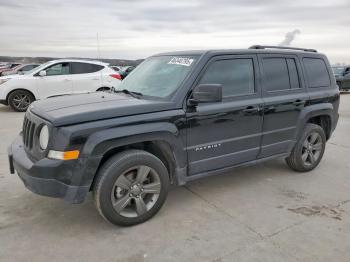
(308, 151)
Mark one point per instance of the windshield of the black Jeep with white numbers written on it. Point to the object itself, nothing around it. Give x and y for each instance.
(159, 76)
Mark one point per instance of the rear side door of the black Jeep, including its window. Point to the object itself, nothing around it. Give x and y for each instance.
(284, 96)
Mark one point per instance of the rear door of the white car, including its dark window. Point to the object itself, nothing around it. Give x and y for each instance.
(86, 77)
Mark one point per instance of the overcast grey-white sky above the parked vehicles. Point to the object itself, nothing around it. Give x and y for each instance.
(132, 29)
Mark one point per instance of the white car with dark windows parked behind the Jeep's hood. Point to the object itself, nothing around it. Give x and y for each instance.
(54, 78)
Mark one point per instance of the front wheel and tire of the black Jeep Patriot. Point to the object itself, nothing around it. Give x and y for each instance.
(121, 185)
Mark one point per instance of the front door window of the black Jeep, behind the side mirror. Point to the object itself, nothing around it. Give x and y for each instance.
(236, 76)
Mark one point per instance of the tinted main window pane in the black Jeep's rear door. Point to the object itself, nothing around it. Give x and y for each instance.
(276, 75)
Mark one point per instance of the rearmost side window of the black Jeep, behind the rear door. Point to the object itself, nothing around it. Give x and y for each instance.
(316, 72)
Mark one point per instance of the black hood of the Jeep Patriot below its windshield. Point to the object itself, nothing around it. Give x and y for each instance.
(78, 108)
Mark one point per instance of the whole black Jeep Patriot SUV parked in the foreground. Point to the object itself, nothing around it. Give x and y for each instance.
(178, 117)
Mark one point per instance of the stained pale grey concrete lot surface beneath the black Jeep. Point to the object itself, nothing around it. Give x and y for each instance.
(261, 213)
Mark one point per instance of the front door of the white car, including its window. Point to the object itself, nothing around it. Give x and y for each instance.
(58, 81)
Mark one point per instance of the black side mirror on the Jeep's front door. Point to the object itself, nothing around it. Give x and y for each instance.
(206, 93)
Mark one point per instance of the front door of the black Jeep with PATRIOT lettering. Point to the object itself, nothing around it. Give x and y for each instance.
(226, 133)
